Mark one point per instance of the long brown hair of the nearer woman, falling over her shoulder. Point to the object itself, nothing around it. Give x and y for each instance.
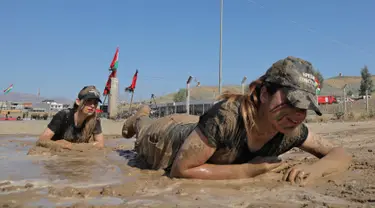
(250, 101)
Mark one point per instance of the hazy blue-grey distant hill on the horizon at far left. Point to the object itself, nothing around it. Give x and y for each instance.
(25, 97)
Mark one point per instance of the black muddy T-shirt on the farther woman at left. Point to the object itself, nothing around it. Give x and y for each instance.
(62, 124)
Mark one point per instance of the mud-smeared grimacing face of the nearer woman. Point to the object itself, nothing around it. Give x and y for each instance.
(281, 114)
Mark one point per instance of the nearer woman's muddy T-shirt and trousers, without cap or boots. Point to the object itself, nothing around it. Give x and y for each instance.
(159, 140)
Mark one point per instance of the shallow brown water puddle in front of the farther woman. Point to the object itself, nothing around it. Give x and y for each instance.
(41, 176)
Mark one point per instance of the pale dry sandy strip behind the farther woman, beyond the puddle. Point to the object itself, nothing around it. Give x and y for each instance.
(35, 127)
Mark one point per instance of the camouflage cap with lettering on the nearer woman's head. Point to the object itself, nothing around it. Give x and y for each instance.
(297, 77)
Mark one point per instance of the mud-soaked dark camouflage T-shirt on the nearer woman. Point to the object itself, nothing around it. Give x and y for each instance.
(224, 127)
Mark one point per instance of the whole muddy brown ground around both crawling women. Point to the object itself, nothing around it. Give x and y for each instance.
(111, 182)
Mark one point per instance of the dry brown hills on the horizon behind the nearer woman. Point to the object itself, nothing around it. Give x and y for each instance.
(331, 86)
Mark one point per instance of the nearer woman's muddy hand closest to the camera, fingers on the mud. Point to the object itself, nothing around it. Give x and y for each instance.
(300, 175)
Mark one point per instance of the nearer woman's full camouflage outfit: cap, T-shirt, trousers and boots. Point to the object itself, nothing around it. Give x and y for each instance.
(158, 141)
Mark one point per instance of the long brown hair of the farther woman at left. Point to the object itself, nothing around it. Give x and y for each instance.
(90, 123)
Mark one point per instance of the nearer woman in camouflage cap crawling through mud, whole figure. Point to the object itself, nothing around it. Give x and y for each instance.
(241, 136)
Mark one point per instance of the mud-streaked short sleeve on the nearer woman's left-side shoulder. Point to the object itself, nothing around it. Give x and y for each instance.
(218, 123)
